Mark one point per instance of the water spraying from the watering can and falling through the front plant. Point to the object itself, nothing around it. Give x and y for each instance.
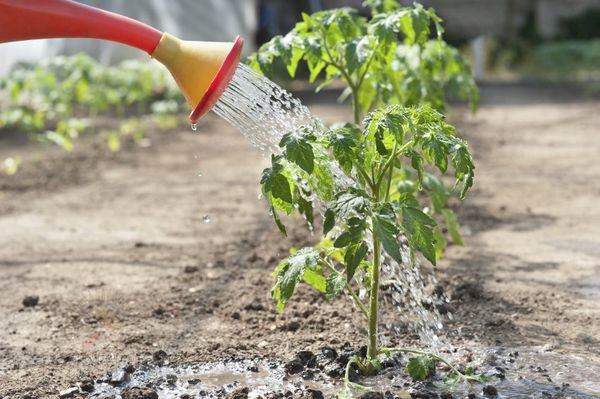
(264, 112)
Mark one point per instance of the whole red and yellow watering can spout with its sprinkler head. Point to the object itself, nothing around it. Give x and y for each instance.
(202, 70)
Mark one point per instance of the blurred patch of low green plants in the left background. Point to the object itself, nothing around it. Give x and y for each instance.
(56, 101)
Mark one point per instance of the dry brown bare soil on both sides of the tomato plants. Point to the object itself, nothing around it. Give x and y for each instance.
(117, 249)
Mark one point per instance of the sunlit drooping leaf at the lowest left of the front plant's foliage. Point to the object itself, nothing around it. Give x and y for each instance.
(291, 271)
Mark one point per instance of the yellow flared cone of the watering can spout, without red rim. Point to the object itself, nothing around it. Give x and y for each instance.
(193, 64)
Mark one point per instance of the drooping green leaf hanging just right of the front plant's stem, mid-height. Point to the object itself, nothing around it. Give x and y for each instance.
(419, 231)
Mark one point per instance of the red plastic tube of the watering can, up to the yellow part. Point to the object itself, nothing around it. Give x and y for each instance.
(45, 19)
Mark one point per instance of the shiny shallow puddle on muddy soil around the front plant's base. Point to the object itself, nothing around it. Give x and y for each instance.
(524, 373)
